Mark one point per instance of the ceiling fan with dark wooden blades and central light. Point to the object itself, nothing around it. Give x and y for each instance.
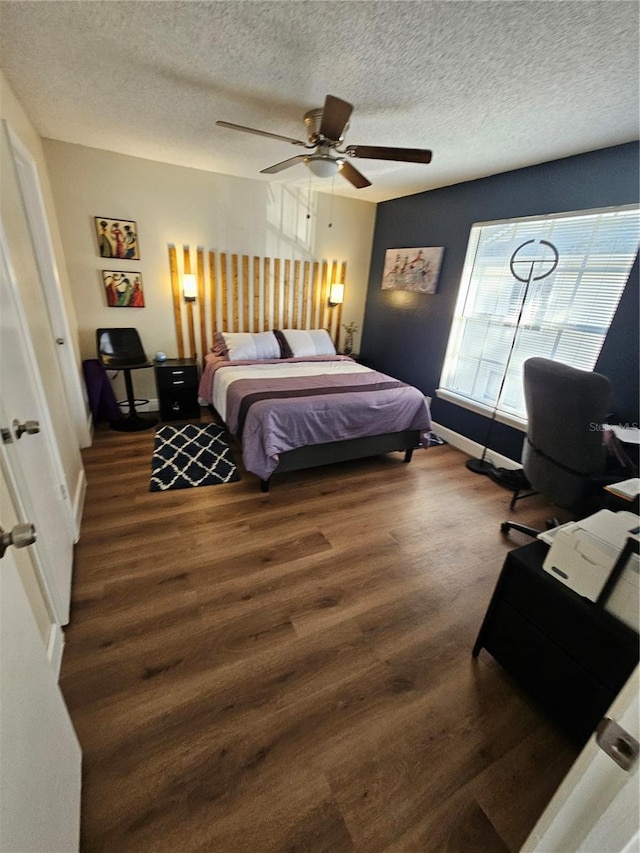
(326, 128)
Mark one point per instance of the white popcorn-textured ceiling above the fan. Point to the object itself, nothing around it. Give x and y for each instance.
(488, 86)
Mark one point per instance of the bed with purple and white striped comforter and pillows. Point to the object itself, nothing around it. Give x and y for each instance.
(303, 406)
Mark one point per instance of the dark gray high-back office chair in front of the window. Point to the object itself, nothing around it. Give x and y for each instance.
(563, 450)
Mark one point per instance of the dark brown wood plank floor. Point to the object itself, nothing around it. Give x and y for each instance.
(292, 671)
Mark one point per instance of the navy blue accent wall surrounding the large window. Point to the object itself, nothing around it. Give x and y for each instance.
(405, 334)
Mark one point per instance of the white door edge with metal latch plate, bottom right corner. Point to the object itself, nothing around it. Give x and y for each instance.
(596, 809)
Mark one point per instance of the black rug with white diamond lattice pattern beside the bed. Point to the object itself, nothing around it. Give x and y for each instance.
(187, 455)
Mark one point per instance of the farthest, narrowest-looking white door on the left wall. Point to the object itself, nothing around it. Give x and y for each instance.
(31, 192)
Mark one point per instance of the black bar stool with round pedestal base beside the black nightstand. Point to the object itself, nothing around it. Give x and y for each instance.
(121, 349)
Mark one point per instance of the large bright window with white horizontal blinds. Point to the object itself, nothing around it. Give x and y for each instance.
(544, 286)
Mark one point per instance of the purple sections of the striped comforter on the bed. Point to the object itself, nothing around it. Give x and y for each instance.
(273, 426)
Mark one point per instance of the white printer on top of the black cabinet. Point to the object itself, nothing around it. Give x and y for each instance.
(583, 554)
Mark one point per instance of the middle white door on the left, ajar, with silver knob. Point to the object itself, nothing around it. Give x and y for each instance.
(35, 470)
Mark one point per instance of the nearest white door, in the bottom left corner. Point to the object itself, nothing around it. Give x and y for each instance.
(40, 756)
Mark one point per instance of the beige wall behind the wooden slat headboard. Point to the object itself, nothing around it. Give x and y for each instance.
(181, 206)
